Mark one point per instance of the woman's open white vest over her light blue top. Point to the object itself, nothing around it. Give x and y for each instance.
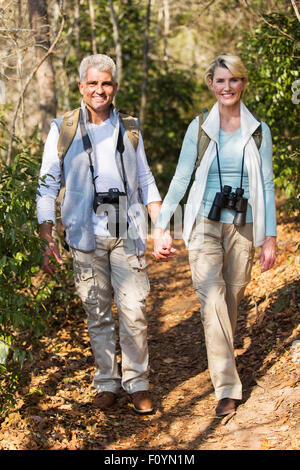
(252, 162)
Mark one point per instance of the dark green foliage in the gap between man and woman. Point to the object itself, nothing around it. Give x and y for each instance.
(170, 108)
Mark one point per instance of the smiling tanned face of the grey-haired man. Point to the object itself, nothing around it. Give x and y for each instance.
(98, 90)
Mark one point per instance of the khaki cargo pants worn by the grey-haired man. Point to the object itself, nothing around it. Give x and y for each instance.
(114, 268)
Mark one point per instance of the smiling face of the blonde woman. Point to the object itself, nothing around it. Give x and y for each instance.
(227, 88)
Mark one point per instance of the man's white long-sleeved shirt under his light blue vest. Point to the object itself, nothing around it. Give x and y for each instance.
(105, 170)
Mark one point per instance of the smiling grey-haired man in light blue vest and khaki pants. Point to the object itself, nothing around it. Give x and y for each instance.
(104, 262)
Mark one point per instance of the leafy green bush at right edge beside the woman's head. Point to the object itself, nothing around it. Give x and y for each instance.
(271, 53)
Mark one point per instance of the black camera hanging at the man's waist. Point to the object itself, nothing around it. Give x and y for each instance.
(115, 208)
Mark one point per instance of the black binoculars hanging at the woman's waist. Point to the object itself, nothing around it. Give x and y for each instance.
(229, 200)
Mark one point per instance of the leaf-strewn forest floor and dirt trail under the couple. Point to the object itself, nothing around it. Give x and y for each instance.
(54, 408)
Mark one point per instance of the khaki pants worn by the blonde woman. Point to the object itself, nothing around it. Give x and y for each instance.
(221, 257)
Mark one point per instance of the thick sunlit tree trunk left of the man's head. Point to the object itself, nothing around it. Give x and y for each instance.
(38, 18)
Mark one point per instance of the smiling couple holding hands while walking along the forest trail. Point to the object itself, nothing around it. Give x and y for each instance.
(229, 212)
